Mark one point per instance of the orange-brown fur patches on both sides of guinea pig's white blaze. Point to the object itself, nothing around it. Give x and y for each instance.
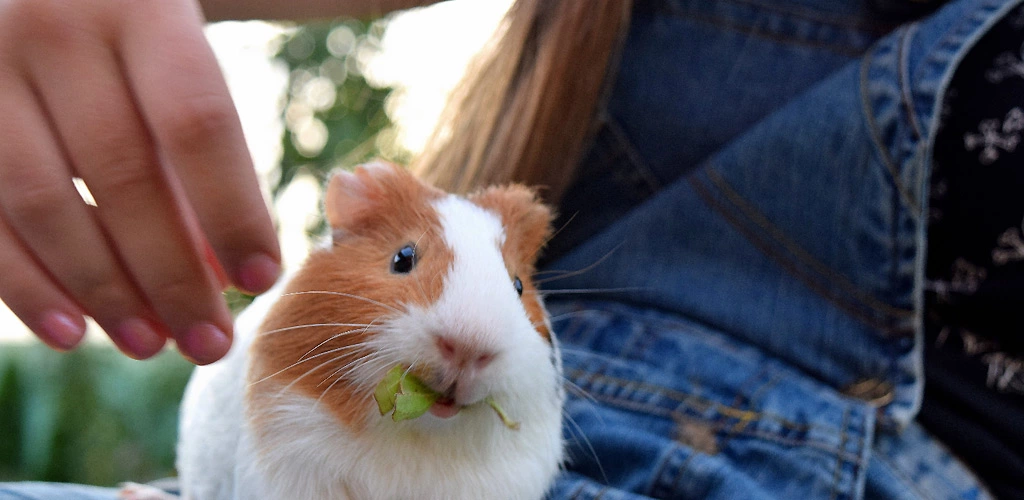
(374, 218)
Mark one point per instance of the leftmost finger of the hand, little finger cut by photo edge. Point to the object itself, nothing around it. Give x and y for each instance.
(34, 299)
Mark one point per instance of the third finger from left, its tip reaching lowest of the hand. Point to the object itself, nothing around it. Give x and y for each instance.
(109, 147)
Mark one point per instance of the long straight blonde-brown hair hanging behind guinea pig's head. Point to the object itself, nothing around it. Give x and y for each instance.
(527, 108)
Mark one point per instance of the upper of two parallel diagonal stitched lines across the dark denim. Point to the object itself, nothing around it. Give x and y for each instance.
(798, 253)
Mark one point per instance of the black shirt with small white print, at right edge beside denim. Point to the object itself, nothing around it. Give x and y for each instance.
(974, 358)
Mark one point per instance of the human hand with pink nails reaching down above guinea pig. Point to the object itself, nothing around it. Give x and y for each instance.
(129, 97)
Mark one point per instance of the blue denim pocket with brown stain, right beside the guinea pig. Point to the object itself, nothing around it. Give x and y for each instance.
(663, 408)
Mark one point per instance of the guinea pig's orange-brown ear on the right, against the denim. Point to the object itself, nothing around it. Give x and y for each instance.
(527, 221)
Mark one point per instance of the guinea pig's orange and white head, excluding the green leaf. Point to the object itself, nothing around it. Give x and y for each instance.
(417, 278)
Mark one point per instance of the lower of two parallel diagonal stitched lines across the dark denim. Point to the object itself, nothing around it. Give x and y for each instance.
(884, 325)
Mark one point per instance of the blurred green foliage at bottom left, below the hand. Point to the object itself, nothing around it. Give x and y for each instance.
(90, 416)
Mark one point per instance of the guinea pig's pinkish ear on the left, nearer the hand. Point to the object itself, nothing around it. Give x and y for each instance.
(352, 195)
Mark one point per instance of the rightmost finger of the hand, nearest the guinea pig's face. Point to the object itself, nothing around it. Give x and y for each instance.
(187, 106)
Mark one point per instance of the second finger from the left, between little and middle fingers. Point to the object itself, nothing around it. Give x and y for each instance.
(47, 213)
